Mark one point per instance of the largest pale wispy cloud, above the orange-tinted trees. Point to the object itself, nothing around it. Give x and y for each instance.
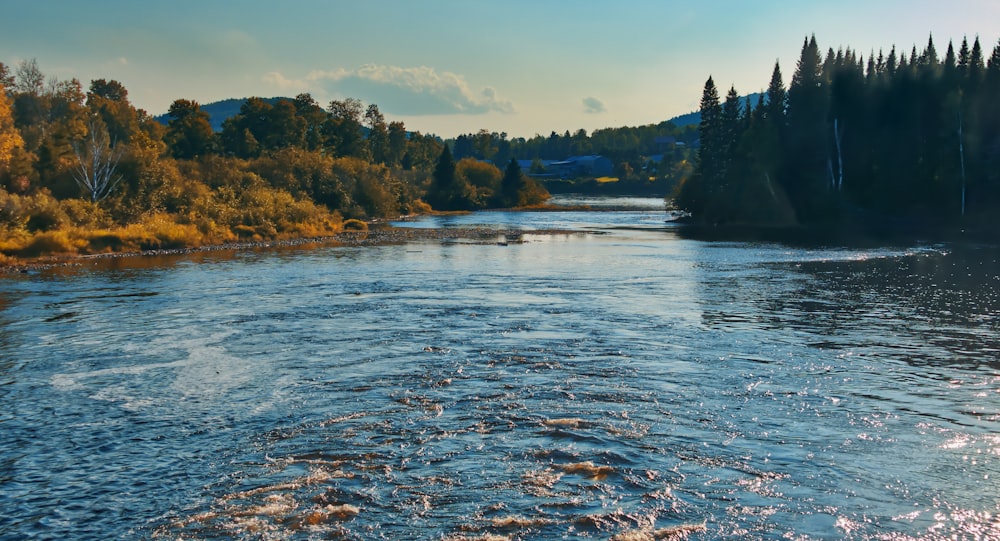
(402, 91)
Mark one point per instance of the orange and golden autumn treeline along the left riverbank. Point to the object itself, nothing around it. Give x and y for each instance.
(86, 171)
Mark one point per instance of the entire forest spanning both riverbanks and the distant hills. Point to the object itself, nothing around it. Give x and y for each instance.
(909, 141)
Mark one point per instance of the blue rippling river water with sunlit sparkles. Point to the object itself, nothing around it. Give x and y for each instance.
(617, 382)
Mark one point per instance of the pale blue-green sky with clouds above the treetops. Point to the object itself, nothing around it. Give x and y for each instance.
(523, 67)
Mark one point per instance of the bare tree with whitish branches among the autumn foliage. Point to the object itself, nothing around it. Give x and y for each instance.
(97, 162)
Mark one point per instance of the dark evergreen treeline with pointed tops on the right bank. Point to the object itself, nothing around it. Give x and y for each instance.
(908, 139)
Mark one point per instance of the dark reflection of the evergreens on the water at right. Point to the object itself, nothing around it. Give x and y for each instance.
(924, 307)
